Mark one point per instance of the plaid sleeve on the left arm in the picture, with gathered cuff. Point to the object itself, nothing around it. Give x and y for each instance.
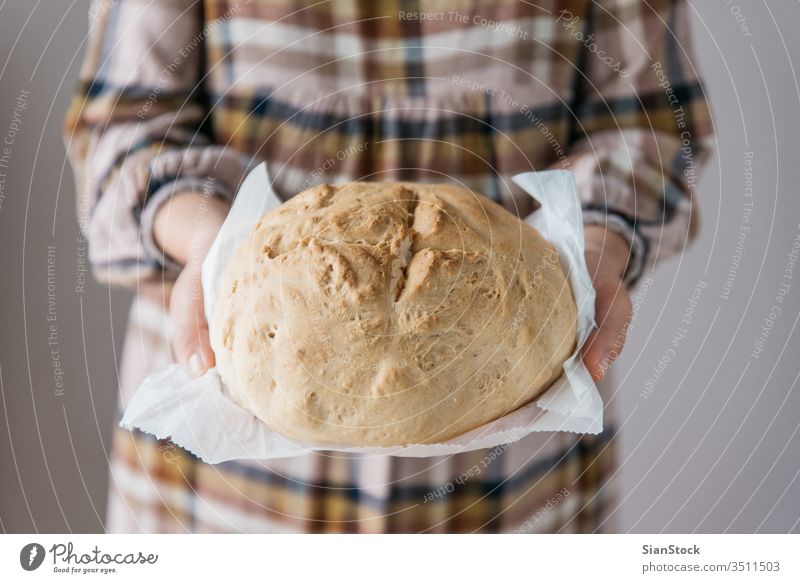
(136, 131)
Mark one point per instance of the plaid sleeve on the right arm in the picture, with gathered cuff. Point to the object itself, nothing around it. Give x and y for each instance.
(641, 126)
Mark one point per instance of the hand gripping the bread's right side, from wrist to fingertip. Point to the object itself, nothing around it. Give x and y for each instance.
(606, 257)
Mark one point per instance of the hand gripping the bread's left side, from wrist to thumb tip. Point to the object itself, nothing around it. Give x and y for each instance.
(185, 227)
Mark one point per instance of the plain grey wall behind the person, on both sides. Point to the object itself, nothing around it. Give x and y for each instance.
(713, 446)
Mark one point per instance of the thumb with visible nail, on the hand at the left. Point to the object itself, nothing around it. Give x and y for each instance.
(190, 327)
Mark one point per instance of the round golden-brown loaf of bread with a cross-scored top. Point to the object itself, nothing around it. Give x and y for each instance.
(377, 314)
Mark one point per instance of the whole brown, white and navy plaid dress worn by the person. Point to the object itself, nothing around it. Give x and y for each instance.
(179, 95)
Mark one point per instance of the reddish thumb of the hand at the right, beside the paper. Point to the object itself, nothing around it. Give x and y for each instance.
(612, 314)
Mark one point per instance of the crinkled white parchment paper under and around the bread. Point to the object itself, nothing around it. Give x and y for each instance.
(200, 416)
